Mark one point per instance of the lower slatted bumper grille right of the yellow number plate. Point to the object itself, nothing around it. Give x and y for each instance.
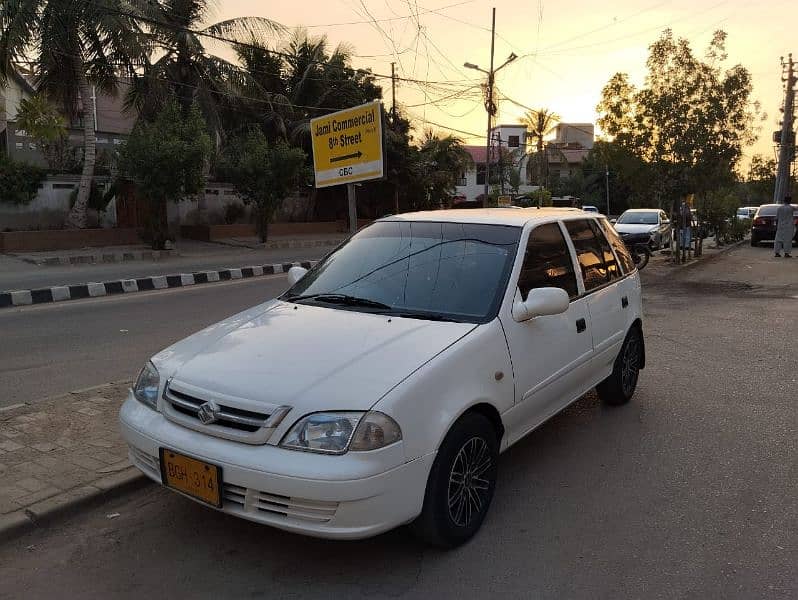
(273, 505)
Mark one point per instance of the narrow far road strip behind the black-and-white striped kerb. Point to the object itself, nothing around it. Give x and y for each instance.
(16, 274)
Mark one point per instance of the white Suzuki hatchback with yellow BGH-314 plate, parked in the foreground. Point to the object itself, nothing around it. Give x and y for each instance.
(381, 387)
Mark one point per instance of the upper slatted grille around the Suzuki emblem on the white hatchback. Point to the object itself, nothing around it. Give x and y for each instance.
(234, 418)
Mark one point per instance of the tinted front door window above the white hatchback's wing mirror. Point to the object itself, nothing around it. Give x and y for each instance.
(547, 262)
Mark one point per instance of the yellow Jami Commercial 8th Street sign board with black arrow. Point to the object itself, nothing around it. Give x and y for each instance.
(347, 145)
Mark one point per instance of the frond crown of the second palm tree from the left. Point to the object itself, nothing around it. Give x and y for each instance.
(185, 69)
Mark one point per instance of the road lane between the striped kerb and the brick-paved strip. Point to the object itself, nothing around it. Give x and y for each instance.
(52, 349)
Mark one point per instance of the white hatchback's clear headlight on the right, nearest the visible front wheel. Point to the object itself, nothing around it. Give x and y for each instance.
(337, 432)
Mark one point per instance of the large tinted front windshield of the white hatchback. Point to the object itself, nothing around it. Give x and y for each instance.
(444, 271)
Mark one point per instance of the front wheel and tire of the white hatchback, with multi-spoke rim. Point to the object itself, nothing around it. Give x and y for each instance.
(454, 507)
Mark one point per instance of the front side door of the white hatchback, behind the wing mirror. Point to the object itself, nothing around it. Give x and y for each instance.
(550, 354)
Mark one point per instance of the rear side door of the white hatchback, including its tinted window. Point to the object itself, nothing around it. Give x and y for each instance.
(601, 275)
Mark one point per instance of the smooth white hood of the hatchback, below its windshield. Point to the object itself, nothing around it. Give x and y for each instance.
(308, 357)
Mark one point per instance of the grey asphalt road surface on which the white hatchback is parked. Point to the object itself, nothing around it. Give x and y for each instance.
(690, 491)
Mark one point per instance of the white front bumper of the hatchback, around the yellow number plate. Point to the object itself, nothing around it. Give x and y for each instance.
(351, 496)
